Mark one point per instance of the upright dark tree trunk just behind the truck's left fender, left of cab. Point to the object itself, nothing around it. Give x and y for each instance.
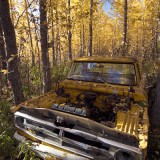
(44, 47)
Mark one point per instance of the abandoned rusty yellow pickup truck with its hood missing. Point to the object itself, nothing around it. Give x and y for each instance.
(99, 112)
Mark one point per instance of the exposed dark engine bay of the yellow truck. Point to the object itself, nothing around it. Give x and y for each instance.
(99, 107)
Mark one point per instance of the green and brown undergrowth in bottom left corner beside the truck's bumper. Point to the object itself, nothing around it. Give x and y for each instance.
(9, 148)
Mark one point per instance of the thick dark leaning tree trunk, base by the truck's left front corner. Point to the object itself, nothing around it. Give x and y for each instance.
(12, 53)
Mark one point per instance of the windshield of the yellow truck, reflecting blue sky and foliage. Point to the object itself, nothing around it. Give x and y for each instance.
(113, 73)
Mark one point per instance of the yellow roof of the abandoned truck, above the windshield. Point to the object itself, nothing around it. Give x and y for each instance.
(107, 59)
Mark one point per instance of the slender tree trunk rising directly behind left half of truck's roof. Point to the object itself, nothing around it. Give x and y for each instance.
(90, 28)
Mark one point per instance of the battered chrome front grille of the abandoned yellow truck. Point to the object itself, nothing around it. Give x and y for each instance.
(65, 136)
